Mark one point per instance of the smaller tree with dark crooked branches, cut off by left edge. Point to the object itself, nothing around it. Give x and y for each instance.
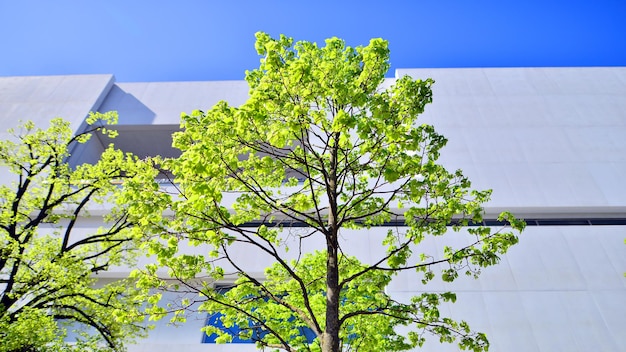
(48, 264)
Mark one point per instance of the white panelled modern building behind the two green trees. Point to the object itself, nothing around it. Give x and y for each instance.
(550, 142)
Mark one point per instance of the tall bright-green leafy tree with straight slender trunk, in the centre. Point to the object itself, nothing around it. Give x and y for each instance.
(318, 150)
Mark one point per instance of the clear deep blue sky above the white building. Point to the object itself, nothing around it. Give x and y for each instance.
(214, 40)
